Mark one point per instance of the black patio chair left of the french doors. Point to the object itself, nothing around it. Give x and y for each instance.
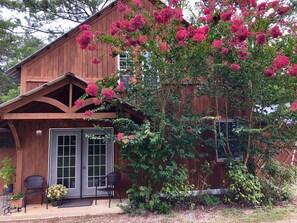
(35, 185)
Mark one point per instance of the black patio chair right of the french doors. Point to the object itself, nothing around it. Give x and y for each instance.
(112, 184)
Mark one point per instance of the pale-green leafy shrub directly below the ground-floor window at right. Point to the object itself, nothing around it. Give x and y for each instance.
(244, 188)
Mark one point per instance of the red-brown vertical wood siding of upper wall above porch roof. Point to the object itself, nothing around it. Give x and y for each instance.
(66, 56)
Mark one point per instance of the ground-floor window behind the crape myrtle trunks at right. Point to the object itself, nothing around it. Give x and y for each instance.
(227, 139)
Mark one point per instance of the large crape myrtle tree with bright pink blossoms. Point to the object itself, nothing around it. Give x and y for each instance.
(240, 54)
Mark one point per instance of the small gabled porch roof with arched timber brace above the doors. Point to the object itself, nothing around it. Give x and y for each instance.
(55, 100)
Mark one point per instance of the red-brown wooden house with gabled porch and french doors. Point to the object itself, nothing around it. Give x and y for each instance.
(45, 132)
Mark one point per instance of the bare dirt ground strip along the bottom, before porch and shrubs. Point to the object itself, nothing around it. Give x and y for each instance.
(217, 214)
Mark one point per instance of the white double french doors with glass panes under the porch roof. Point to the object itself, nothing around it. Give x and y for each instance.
(77, 160)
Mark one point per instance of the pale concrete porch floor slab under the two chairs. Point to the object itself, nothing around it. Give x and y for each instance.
(37, 211)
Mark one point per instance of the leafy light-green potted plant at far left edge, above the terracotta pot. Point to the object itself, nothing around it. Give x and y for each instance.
(7, 173)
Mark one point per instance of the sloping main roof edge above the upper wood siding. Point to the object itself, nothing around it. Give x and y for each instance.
(15, 71)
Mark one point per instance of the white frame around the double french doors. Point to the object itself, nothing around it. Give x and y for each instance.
(82, 131)
